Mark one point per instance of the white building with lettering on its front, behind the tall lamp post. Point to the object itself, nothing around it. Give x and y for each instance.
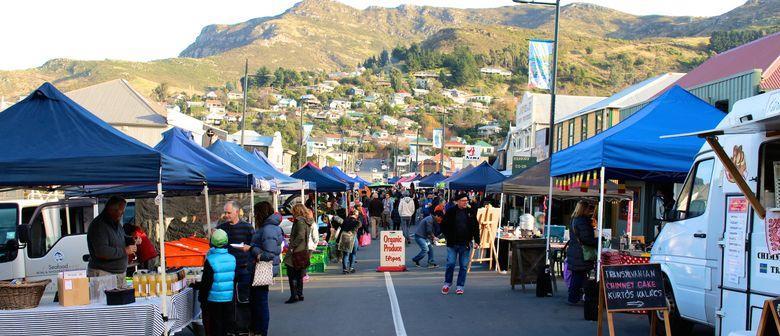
(533, 115)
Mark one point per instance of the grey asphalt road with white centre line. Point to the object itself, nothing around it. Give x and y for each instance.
(361, 304)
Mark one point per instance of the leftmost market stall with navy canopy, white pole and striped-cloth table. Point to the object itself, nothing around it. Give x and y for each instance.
(88, 152)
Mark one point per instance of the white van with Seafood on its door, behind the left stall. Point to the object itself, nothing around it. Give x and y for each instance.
(43, 239)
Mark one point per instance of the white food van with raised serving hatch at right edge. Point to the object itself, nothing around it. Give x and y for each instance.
(714, 249)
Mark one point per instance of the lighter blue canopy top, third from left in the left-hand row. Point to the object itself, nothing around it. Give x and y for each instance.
(248, 162)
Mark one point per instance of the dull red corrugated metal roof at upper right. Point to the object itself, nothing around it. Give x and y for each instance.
(760, 54)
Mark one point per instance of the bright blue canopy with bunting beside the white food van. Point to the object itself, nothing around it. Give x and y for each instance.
(633, 148)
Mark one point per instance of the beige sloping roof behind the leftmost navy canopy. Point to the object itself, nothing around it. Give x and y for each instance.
(117, 103)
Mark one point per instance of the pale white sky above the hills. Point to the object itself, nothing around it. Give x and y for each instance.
(142, 30)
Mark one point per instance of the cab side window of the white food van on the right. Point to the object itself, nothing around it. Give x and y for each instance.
(694, 195)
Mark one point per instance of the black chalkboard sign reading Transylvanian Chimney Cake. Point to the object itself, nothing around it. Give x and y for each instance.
(633, 287)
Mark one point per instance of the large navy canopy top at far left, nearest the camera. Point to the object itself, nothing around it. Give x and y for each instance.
(47, 139)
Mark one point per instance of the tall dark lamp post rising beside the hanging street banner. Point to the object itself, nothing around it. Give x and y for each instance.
(550, 134)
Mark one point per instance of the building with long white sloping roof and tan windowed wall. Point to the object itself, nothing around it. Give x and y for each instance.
(595, 118)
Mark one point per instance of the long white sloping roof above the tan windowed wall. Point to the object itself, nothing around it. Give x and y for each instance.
(633, 94)
